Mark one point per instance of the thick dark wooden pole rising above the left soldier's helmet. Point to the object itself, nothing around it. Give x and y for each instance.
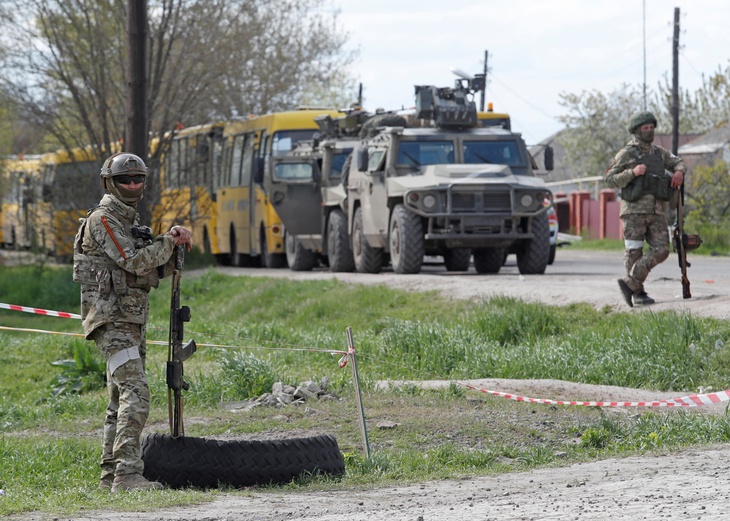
(135, 139)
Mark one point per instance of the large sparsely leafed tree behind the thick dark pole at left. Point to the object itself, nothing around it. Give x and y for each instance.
(64, 62)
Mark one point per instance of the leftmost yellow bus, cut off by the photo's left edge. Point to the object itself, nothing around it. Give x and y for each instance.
(18, 177)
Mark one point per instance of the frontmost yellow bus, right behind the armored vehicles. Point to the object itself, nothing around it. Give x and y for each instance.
(249, 231)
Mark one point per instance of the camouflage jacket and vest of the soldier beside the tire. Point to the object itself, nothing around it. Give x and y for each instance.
(116, 269)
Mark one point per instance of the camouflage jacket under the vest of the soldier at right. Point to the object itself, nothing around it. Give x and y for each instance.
(620, 174)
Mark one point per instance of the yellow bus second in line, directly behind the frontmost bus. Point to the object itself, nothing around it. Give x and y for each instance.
(187, 195)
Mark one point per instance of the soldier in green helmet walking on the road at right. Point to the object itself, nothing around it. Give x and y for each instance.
(640, 171)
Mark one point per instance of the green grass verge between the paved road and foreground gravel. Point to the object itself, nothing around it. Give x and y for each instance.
(279, 330)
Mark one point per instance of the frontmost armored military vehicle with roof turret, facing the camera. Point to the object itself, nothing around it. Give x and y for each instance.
(451, 189)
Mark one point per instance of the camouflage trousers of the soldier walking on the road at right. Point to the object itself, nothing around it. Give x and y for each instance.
(638, 228)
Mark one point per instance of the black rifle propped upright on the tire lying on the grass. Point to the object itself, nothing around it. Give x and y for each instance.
(177, 353)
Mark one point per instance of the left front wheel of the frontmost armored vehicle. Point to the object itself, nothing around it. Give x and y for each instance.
(406, 241)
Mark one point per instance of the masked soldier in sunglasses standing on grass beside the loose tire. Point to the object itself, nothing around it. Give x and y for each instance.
(116, 262)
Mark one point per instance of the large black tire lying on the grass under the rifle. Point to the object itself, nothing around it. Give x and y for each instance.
(208, 463)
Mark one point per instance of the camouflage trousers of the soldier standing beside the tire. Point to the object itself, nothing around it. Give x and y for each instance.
(129, 398)
